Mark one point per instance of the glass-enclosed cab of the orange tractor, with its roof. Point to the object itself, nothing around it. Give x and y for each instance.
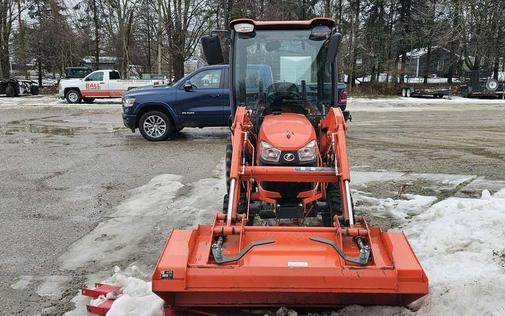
(299, 61)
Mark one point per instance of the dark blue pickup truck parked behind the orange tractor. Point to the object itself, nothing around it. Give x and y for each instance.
(200, 99)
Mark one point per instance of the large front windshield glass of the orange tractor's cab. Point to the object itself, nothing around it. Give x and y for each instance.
(282, 70)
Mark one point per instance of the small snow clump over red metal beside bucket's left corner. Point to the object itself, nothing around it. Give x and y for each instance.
(136, 298)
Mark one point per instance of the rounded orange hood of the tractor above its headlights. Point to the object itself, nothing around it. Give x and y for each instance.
(287, 131)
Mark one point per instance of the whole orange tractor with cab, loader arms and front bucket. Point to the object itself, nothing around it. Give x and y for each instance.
(288, 235)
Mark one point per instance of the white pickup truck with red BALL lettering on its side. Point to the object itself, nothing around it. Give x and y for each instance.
(99, 84)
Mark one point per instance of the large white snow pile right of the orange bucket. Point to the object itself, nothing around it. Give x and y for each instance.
(459, 242)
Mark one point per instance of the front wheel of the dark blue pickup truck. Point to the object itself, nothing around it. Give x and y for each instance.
(156, 126)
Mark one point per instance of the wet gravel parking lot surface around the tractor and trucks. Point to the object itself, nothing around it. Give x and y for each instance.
(72, 172)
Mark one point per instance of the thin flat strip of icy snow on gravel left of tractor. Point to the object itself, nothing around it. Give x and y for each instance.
(120, 235)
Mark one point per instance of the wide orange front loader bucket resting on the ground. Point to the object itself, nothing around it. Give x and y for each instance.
(292, 271)
